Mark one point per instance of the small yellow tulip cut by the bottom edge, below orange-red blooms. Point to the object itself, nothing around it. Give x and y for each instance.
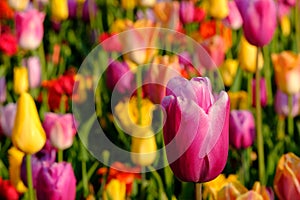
(115, 190)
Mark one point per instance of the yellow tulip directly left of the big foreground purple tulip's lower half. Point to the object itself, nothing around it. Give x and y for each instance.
(143, 149)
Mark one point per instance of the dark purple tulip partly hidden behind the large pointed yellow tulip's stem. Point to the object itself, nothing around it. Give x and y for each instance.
(45, 157)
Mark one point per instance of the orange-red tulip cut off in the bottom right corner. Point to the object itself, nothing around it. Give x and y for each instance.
(287, 177)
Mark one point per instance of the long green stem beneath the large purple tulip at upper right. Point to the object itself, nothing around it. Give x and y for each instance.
(260, 141)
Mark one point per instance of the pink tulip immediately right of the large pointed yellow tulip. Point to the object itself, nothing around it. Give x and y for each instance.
(60, 129)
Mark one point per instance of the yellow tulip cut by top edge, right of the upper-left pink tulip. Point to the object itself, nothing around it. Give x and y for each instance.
(59, 10)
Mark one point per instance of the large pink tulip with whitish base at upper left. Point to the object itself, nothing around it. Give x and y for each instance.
(29, 28)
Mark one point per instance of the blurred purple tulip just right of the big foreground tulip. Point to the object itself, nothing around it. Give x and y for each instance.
(241, 128)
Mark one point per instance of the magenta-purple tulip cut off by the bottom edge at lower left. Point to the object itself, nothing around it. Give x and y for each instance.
(56, 182)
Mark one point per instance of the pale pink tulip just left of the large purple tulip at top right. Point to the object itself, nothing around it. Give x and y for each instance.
(234, 18)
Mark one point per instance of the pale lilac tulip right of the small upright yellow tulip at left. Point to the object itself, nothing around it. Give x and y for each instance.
(33, 65)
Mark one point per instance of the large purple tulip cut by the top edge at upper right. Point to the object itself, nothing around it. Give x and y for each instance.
(259, 17)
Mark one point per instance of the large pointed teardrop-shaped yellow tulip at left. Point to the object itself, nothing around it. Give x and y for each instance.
(28, 134)
